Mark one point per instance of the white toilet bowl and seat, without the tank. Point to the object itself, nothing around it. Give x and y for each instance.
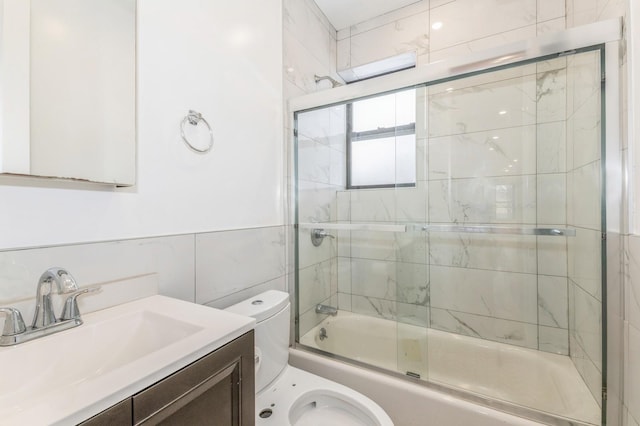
(299, 398)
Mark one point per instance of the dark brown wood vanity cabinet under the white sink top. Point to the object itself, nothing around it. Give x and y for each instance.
(217, 390)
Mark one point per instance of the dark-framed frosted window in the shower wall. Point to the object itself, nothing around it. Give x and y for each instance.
(382, 141)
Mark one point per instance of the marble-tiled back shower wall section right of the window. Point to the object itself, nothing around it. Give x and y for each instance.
(493, 175)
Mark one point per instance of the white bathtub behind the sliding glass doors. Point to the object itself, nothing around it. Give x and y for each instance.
(514, 377)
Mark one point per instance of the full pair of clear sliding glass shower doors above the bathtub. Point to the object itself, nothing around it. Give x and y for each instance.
(452, 233)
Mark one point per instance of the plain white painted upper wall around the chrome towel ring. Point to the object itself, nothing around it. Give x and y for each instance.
(203, 55)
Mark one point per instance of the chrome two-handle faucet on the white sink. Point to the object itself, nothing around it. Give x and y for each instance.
(44, 318)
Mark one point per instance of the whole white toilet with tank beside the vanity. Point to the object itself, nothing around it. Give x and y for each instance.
(286, 395)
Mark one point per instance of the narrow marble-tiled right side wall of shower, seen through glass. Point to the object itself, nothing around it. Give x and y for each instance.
(584, 214)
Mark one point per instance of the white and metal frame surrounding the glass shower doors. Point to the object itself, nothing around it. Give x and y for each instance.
(605, 36)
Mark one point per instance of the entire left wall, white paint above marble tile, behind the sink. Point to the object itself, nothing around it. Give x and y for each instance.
(203, 218)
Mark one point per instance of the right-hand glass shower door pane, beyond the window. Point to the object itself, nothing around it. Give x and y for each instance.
(514, 190)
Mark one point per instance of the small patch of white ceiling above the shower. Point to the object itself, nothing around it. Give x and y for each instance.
(344, 13)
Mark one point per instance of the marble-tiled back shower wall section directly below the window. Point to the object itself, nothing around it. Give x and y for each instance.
(385, 274)
